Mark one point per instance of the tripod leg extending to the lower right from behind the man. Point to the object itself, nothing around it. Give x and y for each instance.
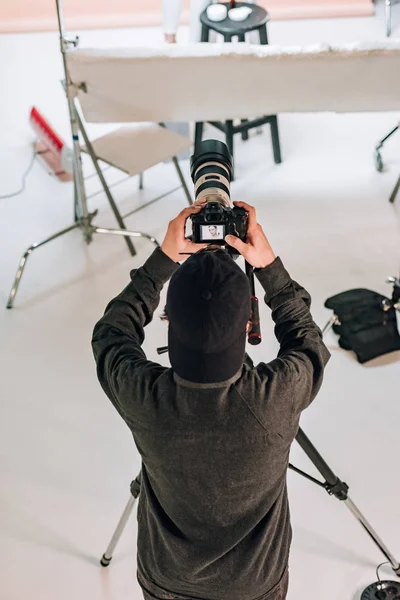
(335, 487)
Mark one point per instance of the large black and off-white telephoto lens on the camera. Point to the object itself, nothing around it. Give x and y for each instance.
(211, 171)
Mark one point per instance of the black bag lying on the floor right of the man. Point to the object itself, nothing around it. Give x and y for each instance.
(366, 322)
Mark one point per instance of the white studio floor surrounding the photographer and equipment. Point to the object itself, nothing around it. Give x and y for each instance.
(66, 457)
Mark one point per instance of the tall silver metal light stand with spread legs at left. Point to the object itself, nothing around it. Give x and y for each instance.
(83, 219)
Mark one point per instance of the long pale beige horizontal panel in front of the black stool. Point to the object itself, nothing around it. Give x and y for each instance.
(206, 82)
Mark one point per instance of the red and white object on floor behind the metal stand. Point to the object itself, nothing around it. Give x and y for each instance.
(51, 148)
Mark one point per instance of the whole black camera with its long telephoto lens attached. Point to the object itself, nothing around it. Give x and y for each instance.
(211, 172)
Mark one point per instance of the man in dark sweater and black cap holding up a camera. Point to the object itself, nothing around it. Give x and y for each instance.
(214, 431)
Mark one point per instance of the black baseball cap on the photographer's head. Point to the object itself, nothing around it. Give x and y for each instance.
(208, 307)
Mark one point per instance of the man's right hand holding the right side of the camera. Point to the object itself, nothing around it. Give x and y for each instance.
(257, 250)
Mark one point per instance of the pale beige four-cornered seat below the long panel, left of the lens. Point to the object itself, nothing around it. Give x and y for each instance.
(133, 149)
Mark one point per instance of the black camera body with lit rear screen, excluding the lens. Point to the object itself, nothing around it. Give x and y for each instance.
(215, 221)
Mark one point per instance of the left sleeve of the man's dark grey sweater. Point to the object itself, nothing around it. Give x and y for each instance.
(122, 368)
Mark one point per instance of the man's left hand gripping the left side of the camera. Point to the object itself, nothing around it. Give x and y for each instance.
(175, 244)
